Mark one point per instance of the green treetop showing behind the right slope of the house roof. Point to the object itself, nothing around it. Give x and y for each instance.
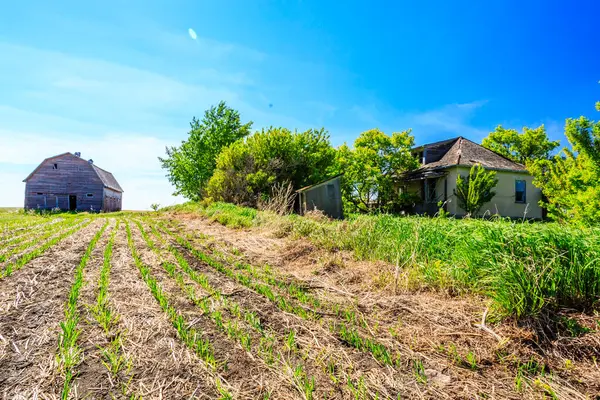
(525, 147)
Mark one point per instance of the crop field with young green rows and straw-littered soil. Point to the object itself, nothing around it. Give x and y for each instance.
(173, 305)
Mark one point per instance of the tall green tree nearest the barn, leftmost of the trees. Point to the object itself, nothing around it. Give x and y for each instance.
(190, 166)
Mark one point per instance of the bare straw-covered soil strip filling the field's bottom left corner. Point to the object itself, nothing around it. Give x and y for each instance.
(32, 307)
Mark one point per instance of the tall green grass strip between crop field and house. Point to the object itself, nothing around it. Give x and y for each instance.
(524, 267)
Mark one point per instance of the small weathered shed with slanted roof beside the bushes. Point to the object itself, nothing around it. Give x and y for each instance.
(325, 196)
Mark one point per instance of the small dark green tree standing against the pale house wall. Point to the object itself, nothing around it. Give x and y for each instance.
(475, 190)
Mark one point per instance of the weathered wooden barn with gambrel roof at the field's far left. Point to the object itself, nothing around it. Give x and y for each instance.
(70, 183)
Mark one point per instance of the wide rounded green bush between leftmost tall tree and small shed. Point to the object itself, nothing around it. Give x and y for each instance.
(247, 169)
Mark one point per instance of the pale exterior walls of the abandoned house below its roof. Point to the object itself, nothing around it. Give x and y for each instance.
(503, 202)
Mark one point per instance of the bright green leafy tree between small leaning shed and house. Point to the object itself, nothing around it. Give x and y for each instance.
(371, 170)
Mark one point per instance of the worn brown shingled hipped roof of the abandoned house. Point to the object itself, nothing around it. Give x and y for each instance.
(464, 152)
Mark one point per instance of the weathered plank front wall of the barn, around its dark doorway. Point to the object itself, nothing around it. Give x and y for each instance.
(49, 187)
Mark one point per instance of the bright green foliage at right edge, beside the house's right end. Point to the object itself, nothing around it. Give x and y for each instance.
(571, 180)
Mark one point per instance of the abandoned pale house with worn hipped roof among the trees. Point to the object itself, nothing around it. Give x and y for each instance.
(442, 162)
